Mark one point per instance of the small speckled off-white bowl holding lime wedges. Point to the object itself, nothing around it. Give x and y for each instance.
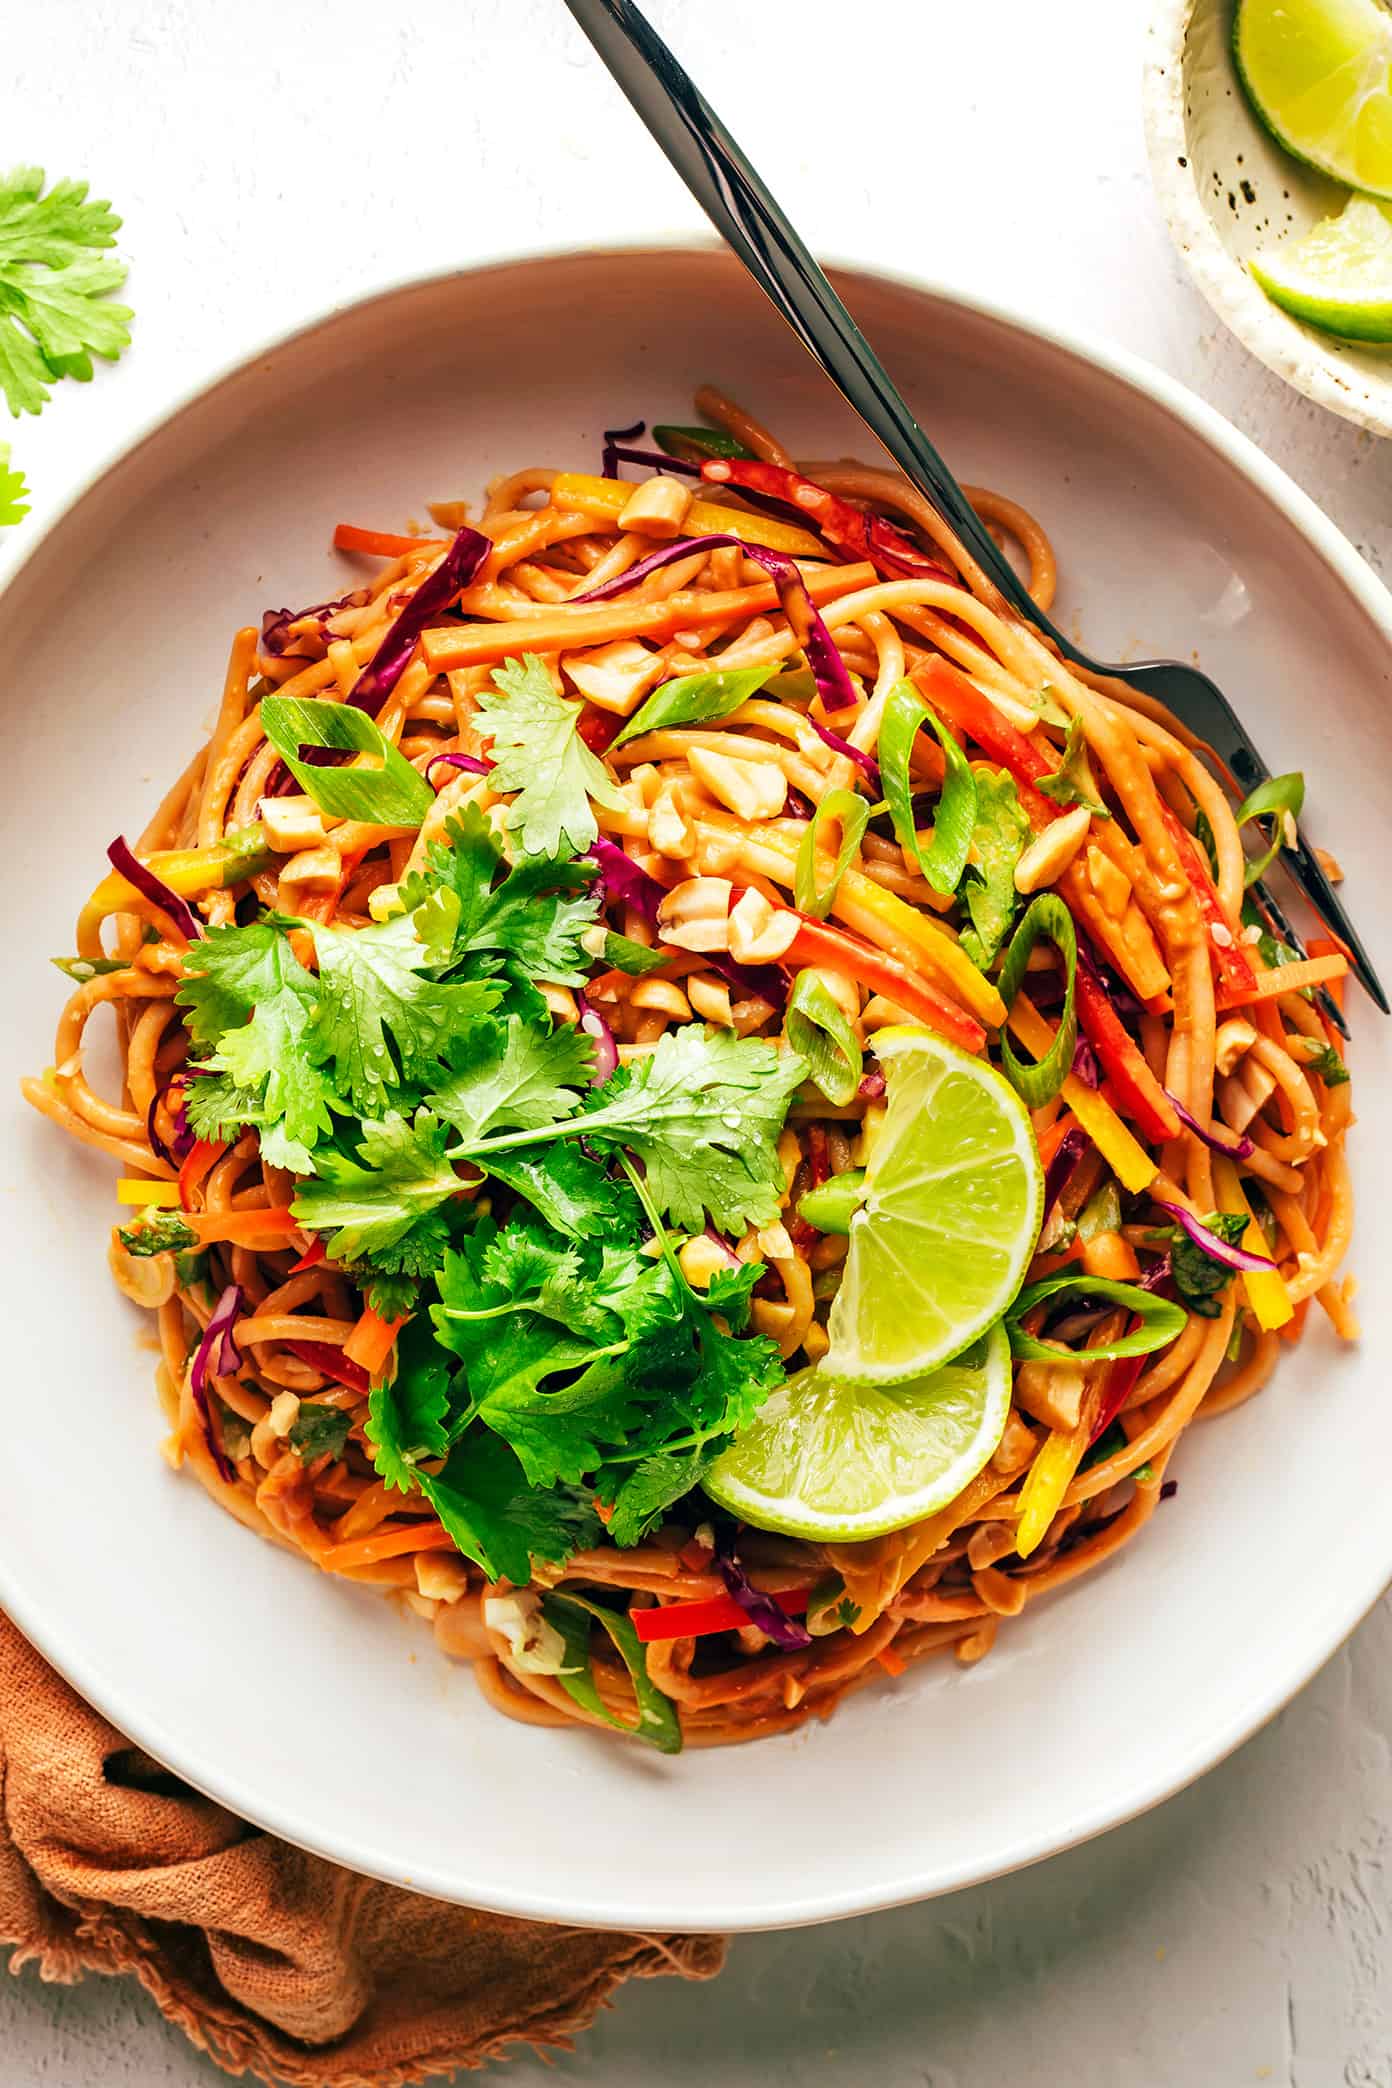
(1228, 189)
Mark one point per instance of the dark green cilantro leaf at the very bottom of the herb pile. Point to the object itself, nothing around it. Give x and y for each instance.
(500, 1521)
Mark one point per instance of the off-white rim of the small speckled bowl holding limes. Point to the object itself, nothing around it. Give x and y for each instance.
(1278, 341)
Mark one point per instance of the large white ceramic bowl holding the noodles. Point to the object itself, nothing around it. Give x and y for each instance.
(320, 1711)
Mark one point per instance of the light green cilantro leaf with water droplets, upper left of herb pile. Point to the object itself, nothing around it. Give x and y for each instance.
(373, 993)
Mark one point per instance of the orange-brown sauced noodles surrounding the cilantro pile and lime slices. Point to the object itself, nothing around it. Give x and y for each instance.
(1262, 1101)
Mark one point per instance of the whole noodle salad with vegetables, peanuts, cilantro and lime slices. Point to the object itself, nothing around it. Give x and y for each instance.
(696, 1104)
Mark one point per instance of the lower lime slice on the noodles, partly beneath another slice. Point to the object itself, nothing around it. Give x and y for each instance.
(836, 1461)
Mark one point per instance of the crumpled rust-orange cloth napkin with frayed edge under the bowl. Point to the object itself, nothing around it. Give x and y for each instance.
(274, 1962)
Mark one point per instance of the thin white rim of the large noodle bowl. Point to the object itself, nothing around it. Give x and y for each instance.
(354, 1847)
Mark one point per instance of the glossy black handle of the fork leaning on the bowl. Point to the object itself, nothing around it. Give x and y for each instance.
(750, 220)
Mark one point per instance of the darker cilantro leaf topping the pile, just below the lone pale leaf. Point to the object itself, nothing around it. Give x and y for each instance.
(535, 918)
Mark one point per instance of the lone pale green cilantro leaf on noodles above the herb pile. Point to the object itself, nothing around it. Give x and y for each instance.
(539, 755)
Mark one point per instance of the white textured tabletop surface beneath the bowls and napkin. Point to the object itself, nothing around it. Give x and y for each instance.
(270, 158)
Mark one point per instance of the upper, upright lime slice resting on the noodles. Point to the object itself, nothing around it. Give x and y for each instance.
(955, 1200)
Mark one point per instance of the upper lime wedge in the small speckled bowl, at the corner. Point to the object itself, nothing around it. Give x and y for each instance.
(1320, 76)
